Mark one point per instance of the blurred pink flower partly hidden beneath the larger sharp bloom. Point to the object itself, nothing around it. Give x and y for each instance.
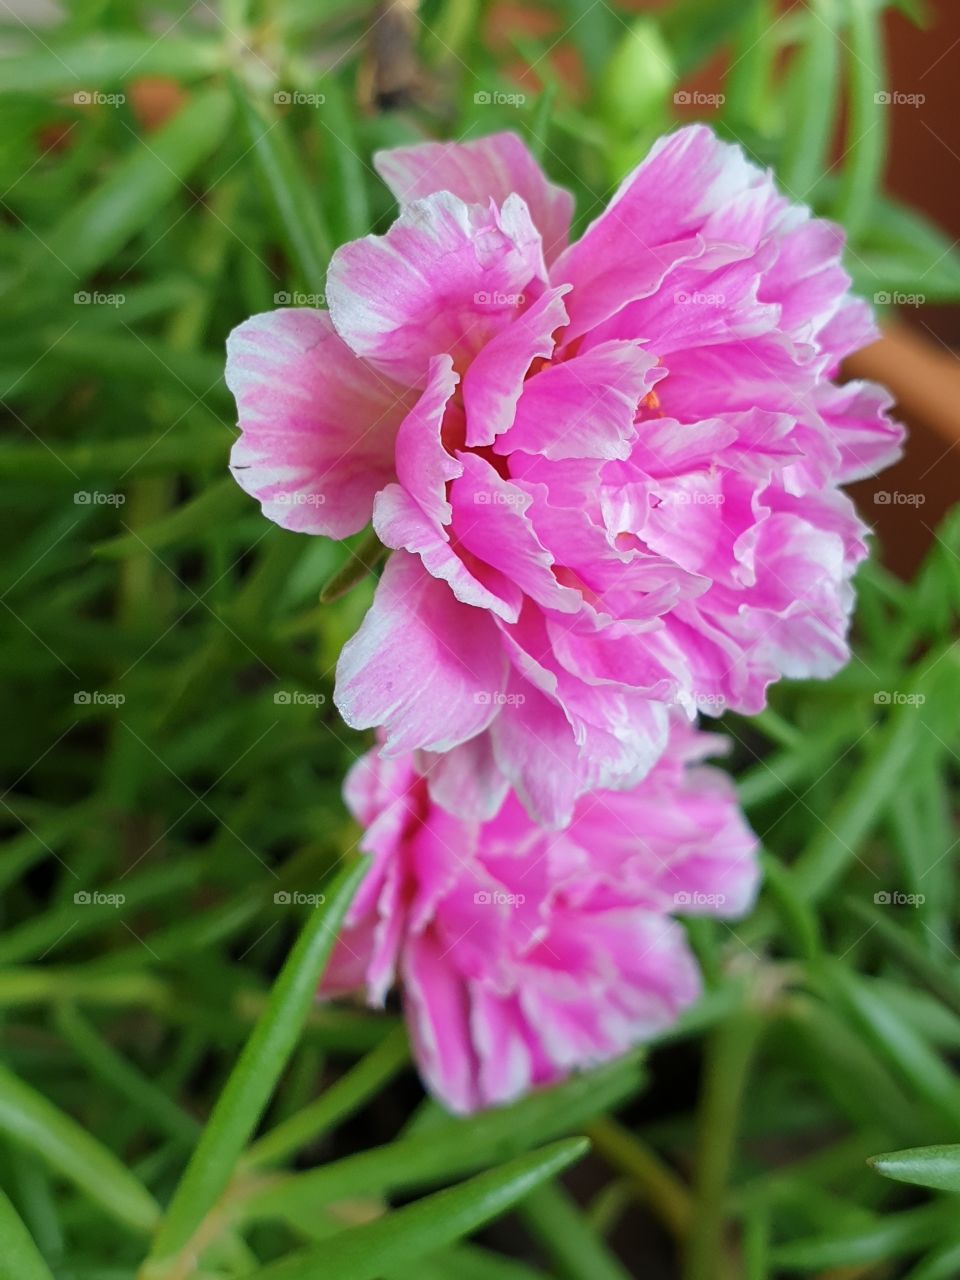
(525, 954)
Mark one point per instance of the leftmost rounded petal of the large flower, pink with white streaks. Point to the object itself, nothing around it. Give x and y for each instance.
(317, 424)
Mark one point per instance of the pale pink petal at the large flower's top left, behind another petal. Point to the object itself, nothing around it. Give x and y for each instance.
(492, 167)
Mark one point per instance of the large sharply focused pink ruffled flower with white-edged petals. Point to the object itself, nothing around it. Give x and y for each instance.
(609, 470)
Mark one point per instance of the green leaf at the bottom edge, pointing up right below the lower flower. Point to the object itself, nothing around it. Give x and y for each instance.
(365, 1252)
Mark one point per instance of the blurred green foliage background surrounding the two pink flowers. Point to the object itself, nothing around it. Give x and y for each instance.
(173, 760)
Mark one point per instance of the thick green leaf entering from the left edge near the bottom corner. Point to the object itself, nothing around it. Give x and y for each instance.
(33, 1122)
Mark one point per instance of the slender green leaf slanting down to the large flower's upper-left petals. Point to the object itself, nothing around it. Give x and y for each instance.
(292, 202)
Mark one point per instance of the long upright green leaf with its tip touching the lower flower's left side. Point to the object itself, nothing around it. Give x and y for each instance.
(248, 1092)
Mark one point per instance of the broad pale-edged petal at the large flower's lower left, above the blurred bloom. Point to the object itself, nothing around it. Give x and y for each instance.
(424, 666)
